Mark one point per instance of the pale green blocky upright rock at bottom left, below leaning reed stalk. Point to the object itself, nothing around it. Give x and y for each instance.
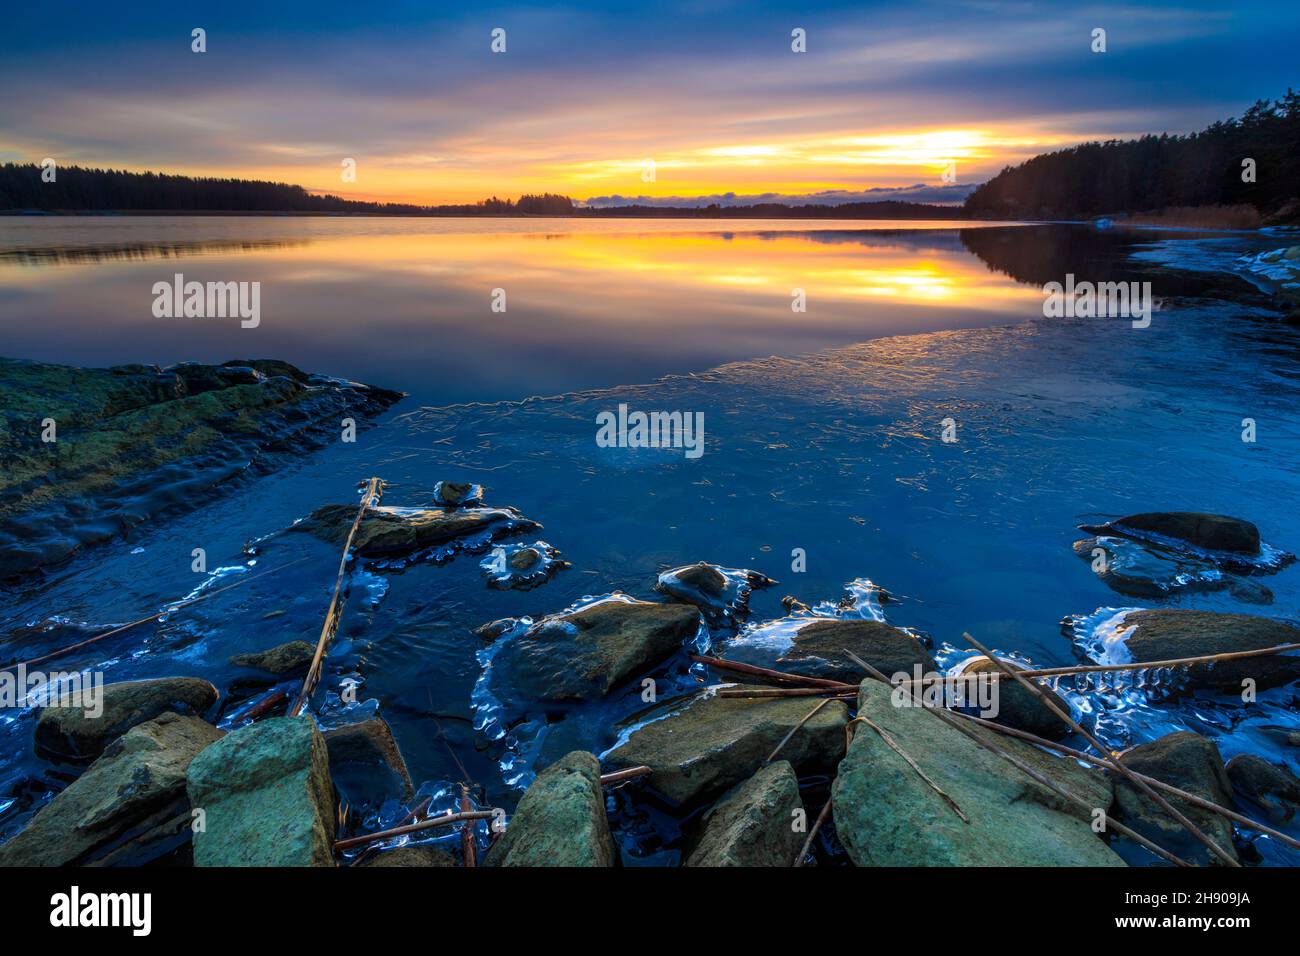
(267, 798)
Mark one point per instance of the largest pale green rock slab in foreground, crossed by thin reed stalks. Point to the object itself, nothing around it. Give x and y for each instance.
(886, 815)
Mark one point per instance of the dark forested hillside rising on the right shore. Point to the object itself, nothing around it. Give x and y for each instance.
(1159, 172)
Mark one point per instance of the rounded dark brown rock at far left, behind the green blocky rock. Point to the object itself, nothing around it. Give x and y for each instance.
(70, 734)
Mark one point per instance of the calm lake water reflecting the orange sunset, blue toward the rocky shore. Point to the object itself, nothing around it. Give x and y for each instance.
(816, 439)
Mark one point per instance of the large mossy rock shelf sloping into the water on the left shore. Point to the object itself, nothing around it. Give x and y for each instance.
(140, 442)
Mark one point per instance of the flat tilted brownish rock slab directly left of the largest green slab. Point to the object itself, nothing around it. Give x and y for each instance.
(708, 745)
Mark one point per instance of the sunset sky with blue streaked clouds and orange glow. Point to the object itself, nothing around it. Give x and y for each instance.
(664, 102)
